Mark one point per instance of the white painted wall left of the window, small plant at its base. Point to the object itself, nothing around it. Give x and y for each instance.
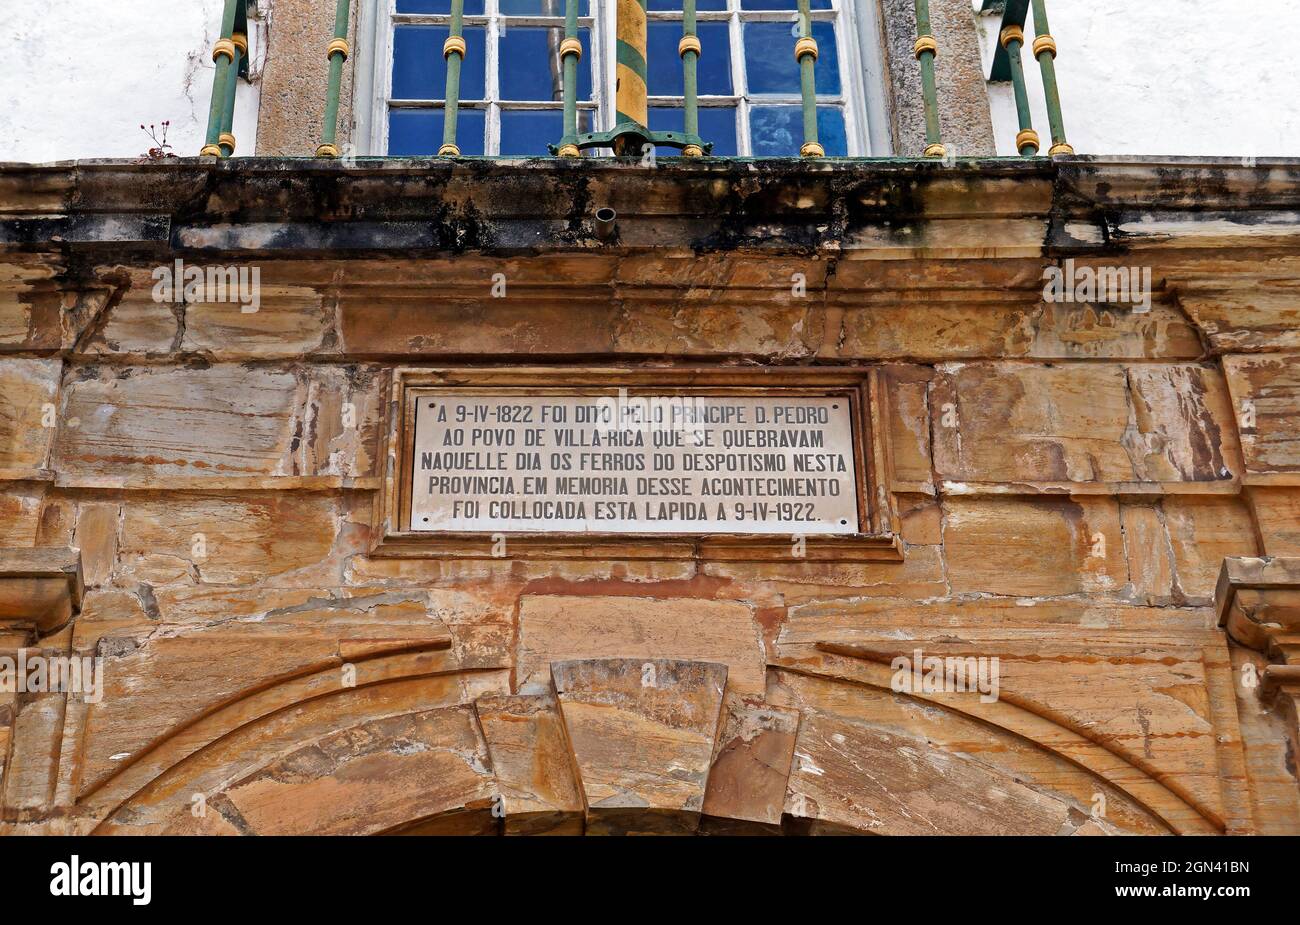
(79, 77)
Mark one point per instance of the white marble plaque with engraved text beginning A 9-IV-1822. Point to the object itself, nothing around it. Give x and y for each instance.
(662, 464)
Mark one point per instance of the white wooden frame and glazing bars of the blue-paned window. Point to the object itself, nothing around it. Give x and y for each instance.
(857, 21)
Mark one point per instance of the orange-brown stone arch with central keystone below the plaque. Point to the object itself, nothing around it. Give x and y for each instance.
(613, 746)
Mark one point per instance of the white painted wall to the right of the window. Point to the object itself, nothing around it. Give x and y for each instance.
(1164, 77)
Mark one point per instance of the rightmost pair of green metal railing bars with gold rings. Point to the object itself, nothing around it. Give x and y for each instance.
(1008, 67)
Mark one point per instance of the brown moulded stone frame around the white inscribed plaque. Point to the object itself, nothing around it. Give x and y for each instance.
(877, 539)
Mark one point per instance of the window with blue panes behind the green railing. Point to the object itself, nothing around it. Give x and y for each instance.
(512, 86)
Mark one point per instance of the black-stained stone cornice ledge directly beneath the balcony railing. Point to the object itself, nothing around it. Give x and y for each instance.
(851, 209)
